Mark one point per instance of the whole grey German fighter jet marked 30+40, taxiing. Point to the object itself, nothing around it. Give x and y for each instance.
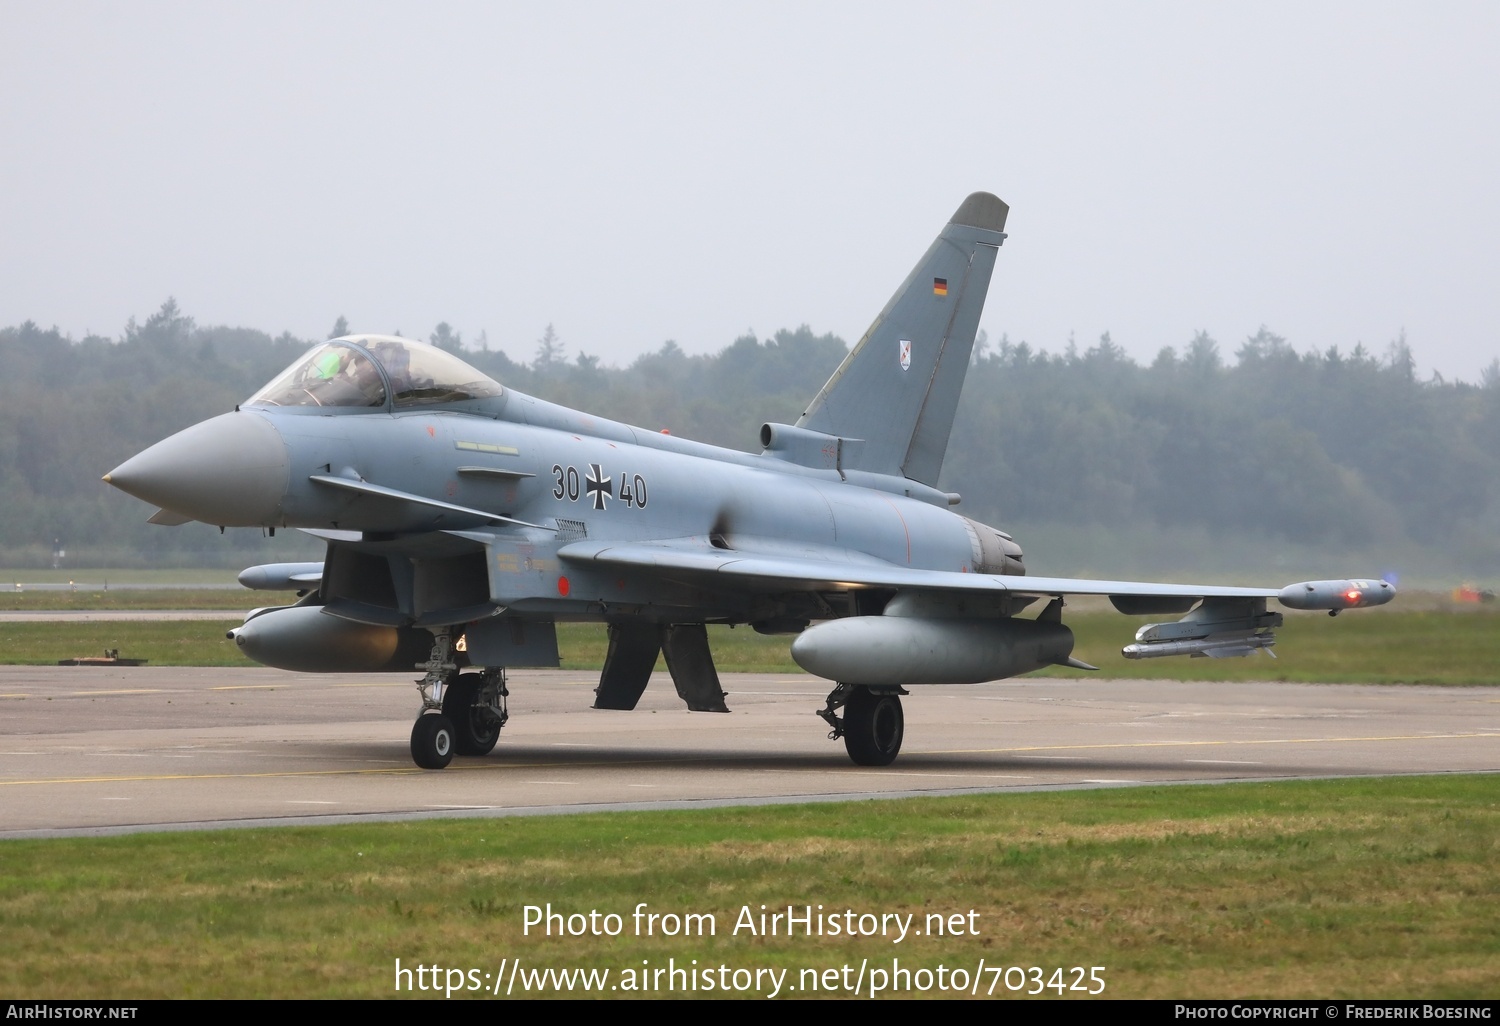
(466, 520)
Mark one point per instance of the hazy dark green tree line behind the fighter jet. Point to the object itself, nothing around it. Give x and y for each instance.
(1315, 448)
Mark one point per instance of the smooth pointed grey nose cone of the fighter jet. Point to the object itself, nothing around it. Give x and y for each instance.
(232, 472)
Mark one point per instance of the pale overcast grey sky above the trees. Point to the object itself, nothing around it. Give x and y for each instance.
(634, 173)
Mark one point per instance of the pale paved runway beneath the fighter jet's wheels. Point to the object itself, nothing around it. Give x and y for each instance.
(112, 751)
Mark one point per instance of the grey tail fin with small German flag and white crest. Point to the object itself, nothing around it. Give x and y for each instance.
(899, 389)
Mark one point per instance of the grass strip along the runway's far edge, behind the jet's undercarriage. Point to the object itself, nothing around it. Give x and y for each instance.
(1381, 647)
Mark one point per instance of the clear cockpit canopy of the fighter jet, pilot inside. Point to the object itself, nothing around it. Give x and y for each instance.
(376, 371)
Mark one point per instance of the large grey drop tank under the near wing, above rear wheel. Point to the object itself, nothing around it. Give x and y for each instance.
(920, 650)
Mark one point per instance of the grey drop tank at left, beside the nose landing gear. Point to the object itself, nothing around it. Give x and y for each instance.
(310, 641)
